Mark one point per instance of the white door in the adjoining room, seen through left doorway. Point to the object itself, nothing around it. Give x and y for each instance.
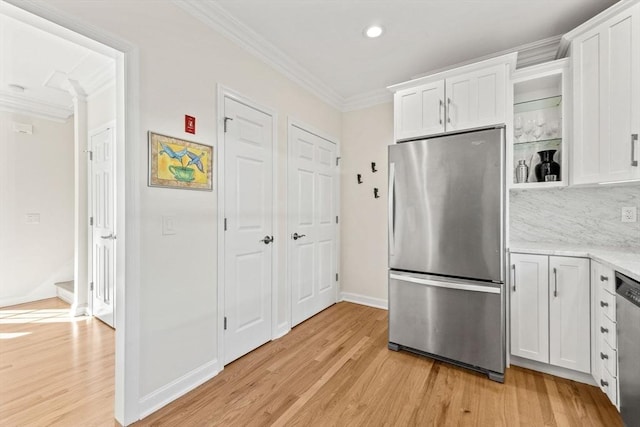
(102, 197)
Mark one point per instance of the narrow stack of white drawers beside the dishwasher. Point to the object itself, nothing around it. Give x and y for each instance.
(605, 349)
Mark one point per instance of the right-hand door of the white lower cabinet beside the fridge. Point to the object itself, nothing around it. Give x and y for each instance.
(569, 317)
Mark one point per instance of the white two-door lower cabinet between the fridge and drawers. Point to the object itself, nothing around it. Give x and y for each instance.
(550, 310)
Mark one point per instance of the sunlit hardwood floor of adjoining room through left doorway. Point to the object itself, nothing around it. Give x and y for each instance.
(55, 370)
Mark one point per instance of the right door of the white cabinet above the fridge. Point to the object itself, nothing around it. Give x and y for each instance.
(476, 99)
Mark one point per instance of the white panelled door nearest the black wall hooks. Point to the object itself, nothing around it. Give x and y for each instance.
(312, 223)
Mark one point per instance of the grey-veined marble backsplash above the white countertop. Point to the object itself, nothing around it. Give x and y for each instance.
(583, 216)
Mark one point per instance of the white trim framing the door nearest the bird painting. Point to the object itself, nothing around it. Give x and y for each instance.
(225, 92)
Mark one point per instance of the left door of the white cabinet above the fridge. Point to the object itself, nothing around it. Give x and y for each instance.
(419, 111)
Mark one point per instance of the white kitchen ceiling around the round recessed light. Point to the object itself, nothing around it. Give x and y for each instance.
(323, 38)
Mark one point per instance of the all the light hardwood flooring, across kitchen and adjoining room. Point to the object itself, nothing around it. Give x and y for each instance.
(334, 369)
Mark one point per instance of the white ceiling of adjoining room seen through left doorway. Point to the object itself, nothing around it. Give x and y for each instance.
(42, 63)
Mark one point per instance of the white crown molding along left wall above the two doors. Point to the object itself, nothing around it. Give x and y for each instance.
(226, 24)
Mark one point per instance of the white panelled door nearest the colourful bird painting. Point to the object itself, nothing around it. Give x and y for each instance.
(248, 251)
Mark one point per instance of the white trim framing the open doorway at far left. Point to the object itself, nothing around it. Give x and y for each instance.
(127, 359)
